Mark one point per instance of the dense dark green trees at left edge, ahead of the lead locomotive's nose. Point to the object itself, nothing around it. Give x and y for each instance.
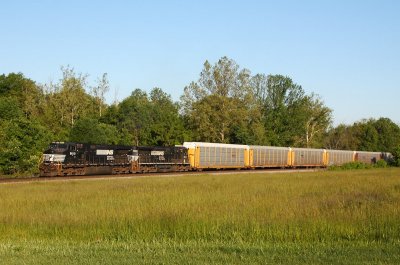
(22, 138)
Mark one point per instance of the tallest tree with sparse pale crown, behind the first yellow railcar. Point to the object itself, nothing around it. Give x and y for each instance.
(222, 105)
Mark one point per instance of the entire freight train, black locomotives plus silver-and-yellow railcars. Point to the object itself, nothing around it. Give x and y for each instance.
(68, 158)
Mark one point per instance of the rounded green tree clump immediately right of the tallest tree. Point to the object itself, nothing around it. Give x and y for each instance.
(291, 117)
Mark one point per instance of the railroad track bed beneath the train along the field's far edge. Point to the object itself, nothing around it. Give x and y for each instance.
(144, 175)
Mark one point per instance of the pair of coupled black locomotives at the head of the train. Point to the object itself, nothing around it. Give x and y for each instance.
(68, 159)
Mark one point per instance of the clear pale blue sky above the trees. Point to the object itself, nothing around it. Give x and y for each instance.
(348, 52)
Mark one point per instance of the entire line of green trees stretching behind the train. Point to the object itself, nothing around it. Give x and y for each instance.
(227, 104)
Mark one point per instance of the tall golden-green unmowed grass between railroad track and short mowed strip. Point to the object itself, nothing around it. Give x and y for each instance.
(362, 206)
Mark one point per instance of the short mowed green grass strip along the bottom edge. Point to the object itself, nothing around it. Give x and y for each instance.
(195, 252)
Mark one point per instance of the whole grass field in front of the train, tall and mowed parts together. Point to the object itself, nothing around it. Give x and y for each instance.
(335, 217)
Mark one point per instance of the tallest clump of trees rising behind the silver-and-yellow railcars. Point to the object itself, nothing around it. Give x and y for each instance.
(229, 105)
